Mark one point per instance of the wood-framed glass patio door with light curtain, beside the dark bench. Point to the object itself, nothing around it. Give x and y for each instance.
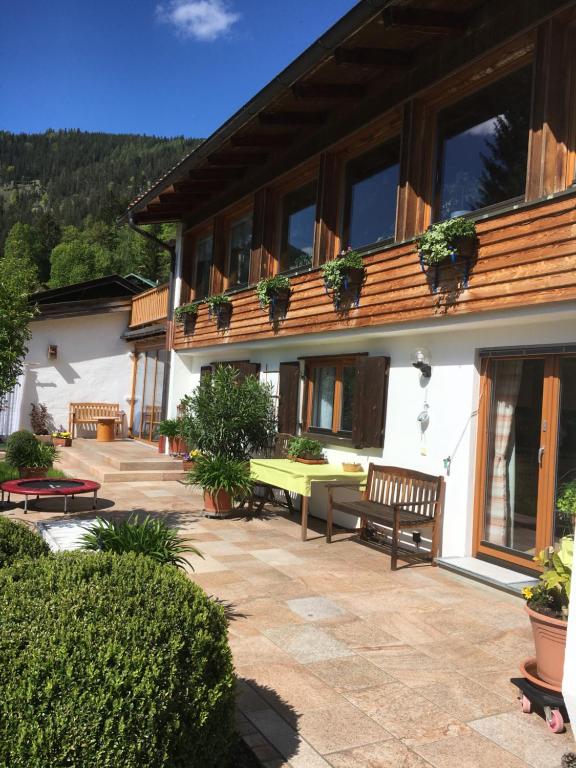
(527, 451)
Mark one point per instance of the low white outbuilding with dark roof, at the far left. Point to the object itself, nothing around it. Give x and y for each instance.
(78, 351)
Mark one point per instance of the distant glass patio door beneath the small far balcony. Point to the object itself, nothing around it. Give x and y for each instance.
(148, 388)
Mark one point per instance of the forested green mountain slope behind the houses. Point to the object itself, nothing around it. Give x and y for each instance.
(61, 193)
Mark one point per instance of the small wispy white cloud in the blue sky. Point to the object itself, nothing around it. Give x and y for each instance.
(203, 20)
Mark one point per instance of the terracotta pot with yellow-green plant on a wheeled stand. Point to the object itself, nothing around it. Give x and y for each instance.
(547, 605)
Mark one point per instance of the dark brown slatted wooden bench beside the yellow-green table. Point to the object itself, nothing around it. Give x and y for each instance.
(395, 497)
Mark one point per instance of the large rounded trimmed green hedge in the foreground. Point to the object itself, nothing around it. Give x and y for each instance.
(111, 661)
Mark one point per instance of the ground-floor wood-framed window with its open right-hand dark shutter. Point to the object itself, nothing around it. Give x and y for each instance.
(345, 398)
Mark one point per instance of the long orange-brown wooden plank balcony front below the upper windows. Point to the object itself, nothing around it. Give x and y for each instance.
(525, 257)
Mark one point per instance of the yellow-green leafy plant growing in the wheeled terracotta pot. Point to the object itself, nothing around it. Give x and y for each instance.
(551, 596)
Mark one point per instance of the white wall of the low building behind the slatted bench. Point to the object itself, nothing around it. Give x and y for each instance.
(93, 365)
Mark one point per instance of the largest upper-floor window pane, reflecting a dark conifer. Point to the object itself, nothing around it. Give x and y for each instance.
(483, 147)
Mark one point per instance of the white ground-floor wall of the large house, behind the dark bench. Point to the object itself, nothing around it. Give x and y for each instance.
(452, 393)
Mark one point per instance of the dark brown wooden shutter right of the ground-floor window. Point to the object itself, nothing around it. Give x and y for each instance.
(370, 397)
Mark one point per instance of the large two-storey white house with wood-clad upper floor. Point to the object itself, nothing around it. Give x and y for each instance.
(400, 116)
